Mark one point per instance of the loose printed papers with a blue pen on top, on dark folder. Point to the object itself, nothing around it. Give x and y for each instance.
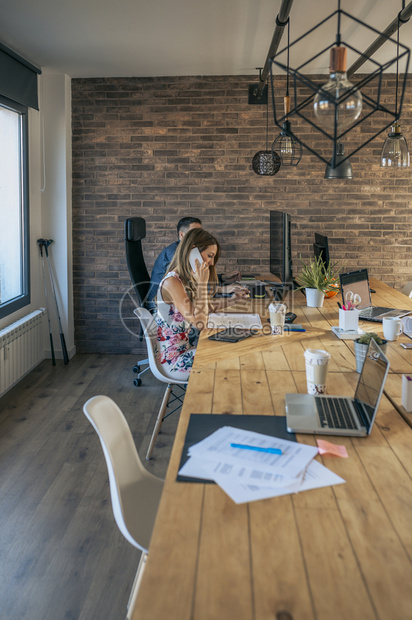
(252, 472)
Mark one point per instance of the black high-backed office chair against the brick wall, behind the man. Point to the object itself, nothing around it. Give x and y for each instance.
(134, 232)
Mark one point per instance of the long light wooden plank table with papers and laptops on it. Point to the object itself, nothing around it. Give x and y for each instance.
(341, 552)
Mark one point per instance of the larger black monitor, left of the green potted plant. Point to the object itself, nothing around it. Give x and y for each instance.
(280, 246)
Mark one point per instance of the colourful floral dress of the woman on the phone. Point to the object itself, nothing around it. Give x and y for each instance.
(173, 348)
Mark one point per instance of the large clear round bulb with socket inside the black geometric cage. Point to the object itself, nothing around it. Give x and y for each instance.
(326, 101)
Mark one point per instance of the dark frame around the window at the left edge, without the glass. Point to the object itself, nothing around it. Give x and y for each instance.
(24, 298)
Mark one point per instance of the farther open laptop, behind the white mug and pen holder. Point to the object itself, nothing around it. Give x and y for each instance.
(357, 283)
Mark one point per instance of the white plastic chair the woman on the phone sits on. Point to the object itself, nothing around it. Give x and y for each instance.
(150, 333)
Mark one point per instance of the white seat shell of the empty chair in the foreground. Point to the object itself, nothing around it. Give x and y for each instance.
(135, 492)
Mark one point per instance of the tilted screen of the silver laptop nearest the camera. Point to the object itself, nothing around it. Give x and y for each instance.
(372, 379)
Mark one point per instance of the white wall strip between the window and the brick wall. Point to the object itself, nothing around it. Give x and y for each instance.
(50, 205)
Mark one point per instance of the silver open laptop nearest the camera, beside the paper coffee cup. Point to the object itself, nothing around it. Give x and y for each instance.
(339, 415)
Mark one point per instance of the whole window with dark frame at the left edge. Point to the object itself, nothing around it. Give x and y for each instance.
(14, 212)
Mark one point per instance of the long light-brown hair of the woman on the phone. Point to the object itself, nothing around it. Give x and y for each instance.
(201, 239)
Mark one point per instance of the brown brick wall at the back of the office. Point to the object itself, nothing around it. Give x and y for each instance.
(163, 148)
